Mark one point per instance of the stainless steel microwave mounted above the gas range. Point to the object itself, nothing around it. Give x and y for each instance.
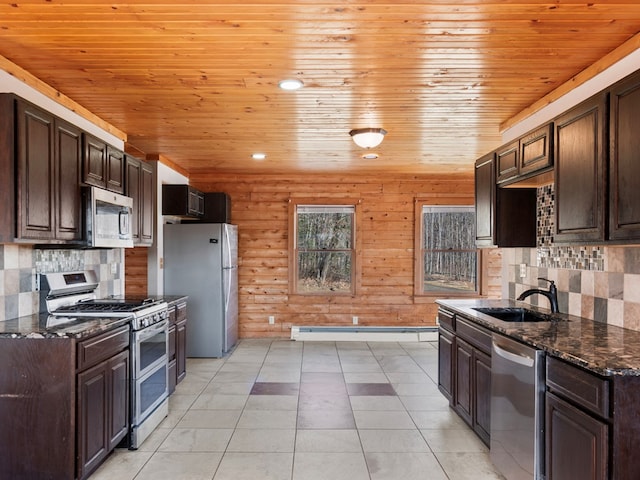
(108, 219)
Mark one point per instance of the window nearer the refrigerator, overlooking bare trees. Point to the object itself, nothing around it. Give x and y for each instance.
(324, 250)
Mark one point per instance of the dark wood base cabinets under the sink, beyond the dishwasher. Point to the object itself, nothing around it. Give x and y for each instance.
(465, 365)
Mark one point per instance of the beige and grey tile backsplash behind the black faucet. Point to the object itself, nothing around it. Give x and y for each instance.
(601, 283)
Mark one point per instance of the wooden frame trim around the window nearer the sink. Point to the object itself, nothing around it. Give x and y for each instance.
(440, 201)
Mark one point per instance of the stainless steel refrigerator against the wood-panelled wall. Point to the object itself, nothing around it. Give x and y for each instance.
(200, 260)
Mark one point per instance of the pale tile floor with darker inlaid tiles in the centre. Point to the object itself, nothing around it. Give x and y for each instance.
(279, 409)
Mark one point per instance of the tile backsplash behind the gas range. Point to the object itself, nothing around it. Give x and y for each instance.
(20, 264)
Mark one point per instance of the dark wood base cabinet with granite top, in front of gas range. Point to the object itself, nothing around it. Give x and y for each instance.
(65, 396)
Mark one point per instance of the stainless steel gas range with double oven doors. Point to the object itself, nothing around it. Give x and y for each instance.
(73, 294)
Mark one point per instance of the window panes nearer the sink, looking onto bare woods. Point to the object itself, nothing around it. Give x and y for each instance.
(448, 255)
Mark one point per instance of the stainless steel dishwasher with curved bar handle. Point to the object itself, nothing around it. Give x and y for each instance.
(517, 409)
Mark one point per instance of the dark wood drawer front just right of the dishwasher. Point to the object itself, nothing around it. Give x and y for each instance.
(583, 388)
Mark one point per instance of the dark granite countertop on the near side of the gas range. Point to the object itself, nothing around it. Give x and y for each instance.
(43, 325)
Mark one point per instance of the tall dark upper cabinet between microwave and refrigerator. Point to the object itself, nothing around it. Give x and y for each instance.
(139, 186)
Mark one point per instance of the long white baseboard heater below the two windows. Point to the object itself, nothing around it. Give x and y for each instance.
(365, 334)
